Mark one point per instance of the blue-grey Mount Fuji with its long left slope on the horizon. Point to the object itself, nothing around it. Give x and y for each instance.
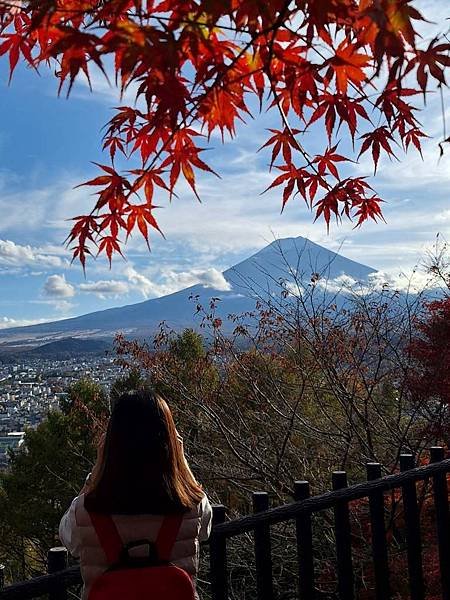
(258, 275)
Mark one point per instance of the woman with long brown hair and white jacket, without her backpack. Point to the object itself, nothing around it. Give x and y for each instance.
(140, 476)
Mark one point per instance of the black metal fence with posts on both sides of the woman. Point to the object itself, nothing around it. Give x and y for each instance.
(259, 523)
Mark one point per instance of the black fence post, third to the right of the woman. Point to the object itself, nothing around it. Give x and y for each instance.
(304, 545)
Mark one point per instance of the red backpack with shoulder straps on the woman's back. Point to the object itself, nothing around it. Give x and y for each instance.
(140, 578)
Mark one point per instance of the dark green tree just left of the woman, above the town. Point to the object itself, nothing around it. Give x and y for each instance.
(43, 477)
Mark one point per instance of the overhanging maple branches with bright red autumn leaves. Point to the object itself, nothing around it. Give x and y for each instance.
(196, 67)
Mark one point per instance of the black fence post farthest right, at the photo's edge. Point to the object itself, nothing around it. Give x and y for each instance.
(440, 491)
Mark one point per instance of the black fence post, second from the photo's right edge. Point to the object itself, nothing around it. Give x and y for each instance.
(413, 538)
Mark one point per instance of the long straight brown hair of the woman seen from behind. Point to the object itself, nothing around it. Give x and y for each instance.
(141, 467)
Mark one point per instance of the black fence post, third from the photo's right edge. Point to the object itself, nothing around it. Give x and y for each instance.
(379, 546)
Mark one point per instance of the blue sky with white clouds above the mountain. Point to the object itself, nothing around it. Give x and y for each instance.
(47, 143)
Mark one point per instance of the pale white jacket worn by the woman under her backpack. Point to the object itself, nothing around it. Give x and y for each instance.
(78, 535)
